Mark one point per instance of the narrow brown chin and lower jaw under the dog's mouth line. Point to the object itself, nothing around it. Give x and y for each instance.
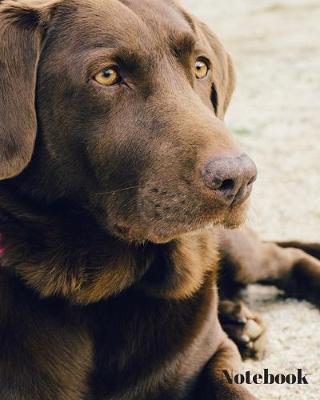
(162, 232)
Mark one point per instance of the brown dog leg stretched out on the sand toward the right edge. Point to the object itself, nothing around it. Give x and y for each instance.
(291, 266)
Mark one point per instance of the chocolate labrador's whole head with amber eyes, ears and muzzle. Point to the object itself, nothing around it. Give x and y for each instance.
(118, 105)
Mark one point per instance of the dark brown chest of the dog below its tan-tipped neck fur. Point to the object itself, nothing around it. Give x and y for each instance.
(58, 351)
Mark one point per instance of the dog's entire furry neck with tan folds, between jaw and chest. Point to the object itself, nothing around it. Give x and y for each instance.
(64, 252)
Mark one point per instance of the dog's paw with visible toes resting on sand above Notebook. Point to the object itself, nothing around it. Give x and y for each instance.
(244, 327)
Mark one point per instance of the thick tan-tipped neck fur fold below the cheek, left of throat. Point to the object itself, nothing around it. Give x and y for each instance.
(63, 251)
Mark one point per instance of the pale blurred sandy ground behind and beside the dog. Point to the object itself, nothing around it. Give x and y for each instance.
(275, 114)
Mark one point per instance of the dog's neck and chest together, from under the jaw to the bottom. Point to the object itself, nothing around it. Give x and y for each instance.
(149, 341)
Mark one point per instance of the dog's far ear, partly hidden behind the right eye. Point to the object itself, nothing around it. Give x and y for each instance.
(223, 72)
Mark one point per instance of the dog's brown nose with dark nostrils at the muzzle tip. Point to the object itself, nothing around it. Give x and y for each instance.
(231, 178)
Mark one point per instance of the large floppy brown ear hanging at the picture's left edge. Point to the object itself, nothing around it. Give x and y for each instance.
(23, 24)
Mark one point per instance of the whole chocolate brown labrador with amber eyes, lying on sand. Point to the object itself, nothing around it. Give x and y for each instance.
(116, 170)
